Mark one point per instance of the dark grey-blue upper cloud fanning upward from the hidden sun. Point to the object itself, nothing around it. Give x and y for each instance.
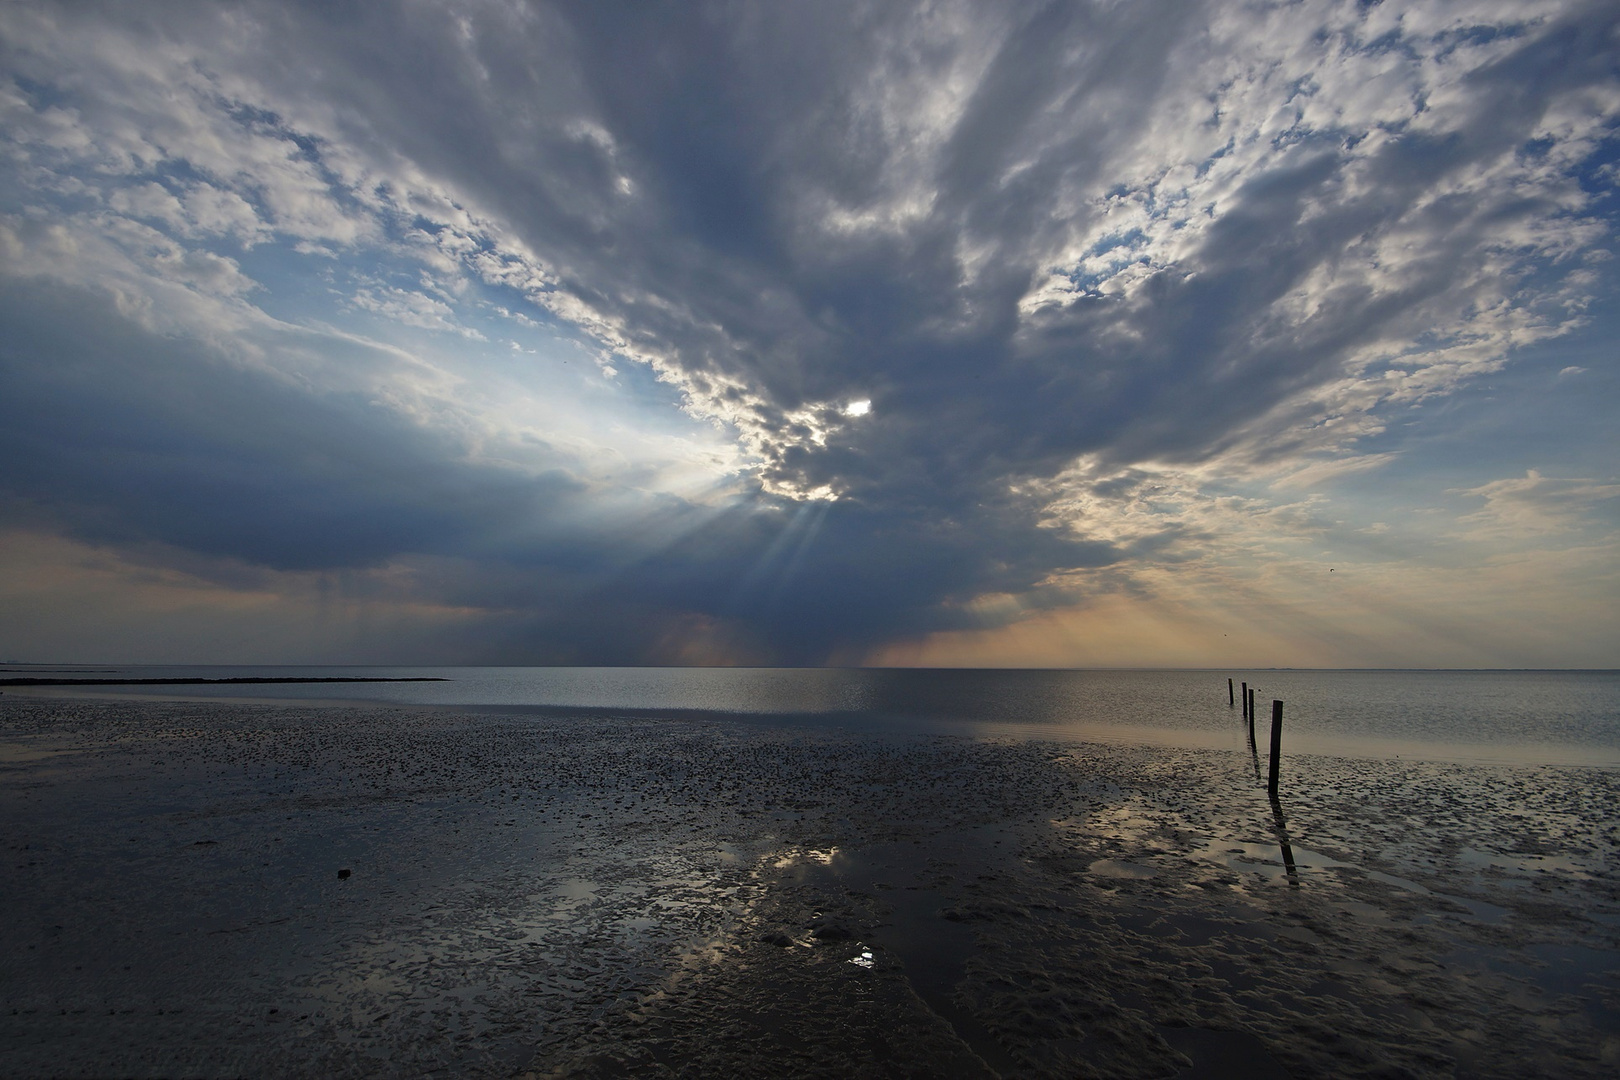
(740, 127)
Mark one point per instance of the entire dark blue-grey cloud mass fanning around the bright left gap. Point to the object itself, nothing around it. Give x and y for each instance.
(1028, 234)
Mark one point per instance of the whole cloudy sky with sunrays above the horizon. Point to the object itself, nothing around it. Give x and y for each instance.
(895, 334)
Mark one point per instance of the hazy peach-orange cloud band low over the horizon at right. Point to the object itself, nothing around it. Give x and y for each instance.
(1514, 611)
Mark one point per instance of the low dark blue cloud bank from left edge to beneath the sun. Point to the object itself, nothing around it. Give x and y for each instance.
(127, 438)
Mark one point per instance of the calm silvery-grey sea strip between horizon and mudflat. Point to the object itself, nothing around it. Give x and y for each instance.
(1559, 718)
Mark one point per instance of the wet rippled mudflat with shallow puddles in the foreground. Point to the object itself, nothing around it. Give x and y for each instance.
(652, 896)
